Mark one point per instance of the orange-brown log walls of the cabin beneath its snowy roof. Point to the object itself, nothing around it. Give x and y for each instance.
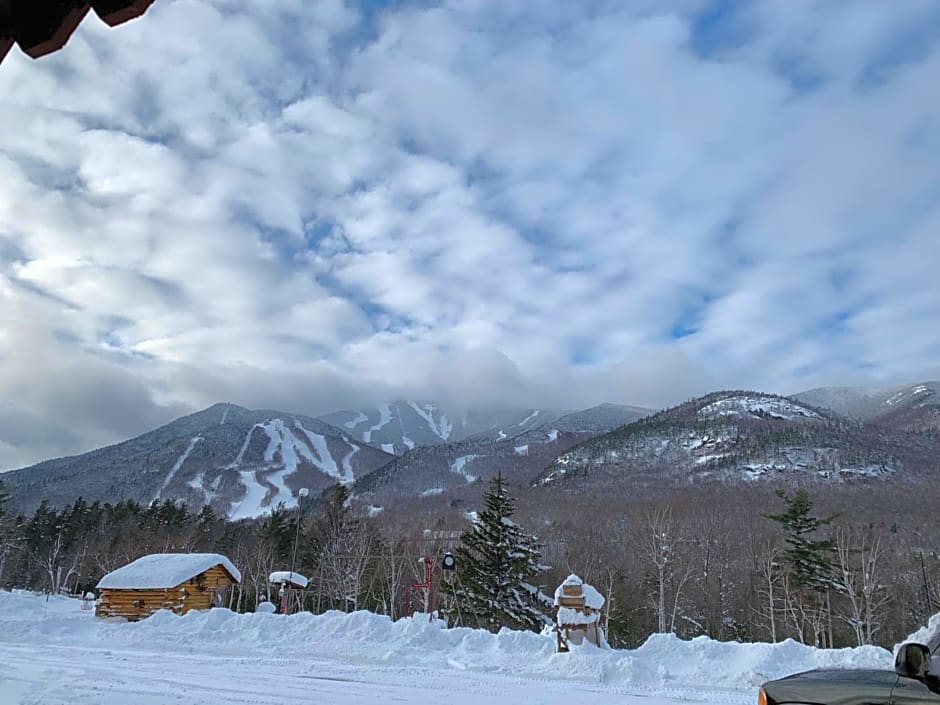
(197, 593)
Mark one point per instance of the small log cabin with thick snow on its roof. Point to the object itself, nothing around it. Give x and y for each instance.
(173, 581)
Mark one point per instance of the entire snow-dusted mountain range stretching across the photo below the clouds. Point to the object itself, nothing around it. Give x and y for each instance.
(245, 462)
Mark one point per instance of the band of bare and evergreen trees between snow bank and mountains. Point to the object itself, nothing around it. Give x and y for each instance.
(830, 567)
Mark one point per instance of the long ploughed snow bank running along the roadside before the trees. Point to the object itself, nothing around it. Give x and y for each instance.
(362, 637)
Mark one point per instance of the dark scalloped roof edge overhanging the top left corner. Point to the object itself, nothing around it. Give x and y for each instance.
(41, 27)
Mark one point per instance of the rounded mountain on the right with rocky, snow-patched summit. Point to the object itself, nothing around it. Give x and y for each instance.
(740, 436)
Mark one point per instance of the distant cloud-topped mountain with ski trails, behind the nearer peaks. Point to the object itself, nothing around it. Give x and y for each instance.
(404, 425)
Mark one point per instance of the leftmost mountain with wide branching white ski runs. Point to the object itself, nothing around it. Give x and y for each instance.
(243, 462)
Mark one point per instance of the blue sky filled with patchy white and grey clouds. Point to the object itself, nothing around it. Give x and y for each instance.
(312, 206)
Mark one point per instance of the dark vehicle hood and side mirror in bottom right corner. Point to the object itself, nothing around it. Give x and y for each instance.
(909, 684)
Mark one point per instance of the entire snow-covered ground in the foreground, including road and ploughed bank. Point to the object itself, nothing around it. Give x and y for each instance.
(52, 652)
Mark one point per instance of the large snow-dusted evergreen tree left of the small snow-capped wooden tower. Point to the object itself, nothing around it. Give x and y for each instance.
(497, 564)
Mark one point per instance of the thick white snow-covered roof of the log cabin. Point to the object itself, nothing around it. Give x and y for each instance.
(165, 570)
